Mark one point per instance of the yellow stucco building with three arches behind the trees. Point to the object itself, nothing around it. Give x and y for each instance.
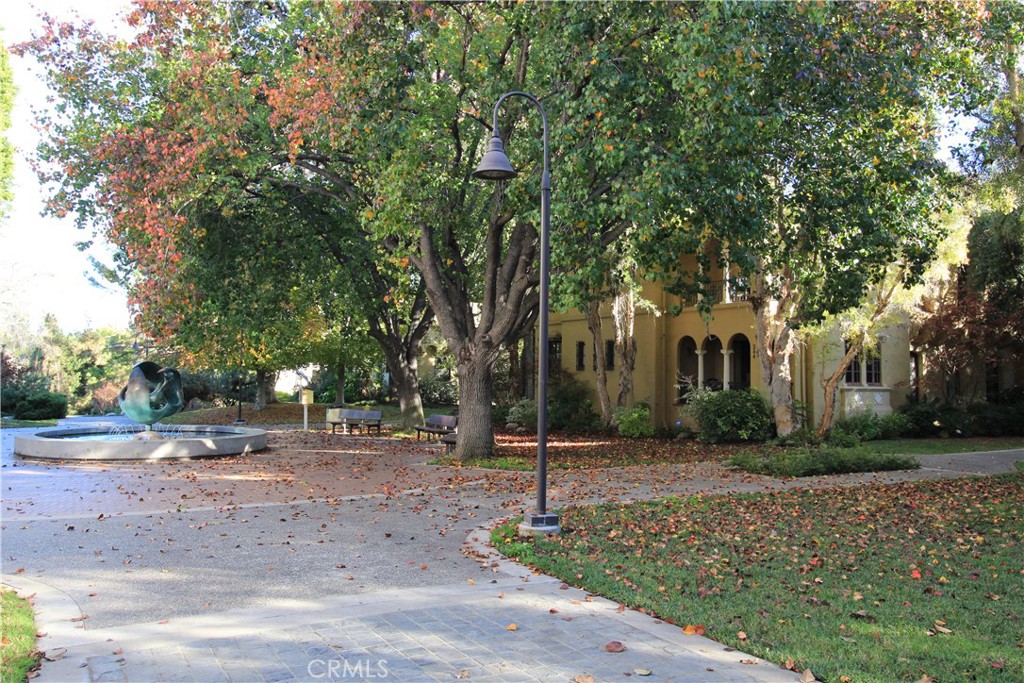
(721, 355)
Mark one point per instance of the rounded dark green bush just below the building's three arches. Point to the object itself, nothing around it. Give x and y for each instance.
(732, 416)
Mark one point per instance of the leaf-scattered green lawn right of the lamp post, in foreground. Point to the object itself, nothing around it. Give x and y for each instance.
(873, 584)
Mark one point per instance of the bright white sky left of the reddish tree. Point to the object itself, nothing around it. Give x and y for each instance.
(41, 271)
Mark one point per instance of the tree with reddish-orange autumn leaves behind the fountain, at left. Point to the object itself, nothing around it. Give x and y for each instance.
(167, 141)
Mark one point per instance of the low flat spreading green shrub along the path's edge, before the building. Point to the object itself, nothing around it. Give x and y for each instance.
(813, 462)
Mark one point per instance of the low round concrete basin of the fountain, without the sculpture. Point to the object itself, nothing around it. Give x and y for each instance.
(209, 442)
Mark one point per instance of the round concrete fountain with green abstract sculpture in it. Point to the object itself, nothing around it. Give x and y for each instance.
(152, 394)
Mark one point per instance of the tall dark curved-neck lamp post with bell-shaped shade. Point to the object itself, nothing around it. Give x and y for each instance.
(496, 166)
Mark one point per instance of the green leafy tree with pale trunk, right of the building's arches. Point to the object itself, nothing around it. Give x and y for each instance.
(808, 164)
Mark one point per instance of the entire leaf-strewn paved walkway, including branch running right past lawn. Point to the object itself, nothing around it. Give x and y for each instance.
(338, 559)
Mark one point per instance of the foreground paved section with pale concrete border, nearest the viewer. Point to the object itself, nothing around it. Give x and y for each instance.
(515, 629)
